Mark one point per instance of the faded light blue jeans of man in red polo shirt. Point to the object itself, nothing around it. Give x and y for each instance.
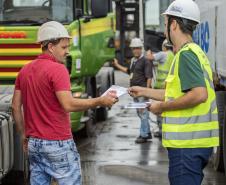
(54, 159)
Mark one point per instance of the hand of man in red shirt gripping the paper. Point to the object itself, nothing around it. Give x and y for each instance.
(109, 99)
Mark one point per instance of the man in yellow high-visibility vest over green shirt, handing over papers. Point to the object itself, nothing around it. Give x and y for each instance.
(188, 104)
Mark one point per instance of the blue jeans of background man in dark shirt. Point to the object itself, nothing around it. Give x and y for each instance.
(143, 114)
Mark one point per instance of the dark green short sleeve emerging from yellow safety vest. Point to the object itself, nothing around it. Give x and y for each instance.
(190, 71)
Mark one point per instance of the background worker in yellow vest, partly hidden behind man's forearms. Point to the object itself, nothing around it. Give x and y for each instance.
(162, 60)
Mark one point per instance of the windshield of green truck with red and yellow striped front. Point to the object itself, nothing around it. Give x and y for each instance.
(30, 12)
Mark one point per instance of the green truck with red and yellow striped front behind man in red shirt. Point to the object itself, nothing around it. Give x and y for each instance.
(91, 26)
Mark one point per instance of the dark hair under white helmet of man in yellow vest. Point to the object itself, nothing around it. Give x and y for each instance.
(186, 26)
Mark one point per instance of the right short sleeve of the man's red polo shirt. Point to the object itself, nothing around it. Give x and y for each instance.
(60, 78)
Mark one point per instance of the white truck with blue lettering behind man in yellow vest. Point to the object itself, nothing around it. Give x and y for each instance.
(211, 36)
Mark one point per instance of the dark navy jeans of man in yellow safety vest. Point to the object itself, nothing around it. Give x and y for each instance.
(186, 165)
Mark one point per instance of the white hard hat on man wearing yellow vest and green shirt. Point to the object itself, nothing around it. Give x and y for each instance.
(187, 9)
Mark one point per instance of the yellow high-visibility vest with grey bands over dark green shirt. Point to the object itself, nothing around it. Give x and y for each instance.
(195, 127)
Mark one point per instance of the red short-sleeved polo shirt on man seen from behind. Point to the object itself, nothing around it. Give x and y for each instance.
(38, 82)
